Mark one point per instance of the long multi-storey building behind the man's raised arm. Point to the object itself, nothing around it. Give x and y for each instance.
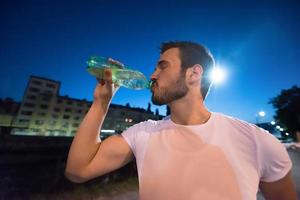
(44, 112)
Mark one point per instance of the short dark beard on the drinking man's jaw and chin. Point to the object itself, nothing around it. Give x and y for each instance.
(165, 95)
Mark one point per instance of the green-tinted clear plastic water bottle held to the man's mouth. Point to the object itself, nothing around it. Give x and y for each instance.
(121, 74)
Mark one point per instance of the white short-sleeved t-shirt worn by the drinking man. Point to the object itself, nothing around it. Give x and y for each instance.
(225, 158)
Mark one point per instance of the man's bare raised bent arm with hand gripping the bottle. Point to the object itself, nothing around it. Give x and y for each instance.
(88, 156)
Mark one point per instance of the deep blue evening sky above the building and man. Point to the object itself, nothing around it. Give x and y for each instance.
(256, 41)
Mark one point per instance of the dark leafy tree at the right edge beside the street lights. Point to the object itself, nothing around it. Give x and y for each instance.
(287, 106)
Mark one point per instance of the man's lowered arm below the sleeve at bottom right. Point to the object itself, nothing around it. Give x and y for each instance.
(282, 189)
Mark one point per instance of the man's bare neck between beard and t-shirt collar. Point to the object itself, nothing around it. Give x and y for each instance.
(189, 111)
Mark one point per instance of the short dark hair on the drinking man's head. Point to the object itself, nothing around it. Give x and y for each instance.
(192, 53)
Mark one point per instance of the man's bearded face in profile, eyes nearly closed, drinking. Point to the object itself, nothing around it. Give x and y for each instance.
(168, 80)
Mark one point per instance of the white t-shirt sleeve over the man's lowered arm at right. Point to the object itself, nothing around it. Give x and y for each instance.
(274, 161)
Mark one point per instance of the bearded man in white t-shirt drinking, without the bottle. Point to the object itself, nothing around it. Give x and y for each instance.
(194, 154)
